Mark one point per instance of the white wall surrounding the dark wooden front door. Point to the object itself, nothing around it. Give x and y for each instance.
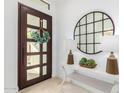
(11, 40)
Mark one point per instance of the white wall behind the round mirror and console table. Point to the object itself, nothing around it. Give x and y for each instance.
(68, 13)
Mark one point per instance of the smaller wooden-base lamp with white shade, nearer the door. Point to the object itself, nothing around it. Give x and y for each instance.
(70, 46)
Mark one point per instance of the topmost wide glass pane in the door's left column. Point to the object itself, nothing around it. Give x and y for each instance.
(33, 20)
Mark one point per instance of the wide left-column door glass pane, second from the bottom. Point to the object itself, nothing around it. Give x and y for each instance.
(33, 60)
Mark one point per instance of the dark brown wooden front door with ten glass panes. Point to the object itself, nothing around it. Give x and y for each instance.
(34, 60)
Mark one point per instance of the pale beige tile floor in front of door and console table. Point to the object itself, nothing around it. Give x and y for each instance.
(51, 86)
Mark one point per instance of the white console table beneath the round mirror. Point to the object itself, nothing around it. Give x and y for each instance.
(92, 79)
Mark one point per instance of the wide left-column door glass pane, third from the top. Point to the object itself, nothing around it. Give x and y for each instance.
(33, 47)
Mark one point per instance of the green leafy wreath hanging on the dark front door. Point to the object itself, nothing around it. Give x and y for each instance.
(36, 36)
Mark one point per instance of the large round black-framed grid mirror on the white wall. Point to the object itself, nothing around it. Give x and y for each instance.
(90, 28)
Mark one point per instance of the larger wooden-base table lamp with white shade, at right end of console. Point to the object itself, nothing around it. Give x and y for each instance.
(111, 44)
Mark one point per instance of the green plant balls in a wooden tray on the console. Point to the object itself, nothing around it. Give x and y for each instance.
(88, 63)
